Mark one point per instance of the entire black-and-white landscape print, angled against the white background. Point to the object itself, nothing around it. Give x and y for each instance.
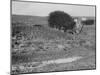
(52, 37)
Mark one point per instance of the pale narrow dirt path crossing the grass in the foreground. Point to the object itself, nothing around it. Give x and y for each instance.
(44, 63)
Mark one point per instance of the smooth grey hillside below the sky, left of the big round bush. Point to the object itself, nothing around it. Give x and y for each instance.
(29, 19)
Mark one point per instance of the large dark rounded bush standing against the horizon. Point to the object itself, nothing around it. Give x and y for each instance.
(61, 20)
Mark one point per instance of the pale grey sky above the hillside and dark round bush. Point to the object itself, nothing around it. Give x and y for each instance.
(43, 9)
